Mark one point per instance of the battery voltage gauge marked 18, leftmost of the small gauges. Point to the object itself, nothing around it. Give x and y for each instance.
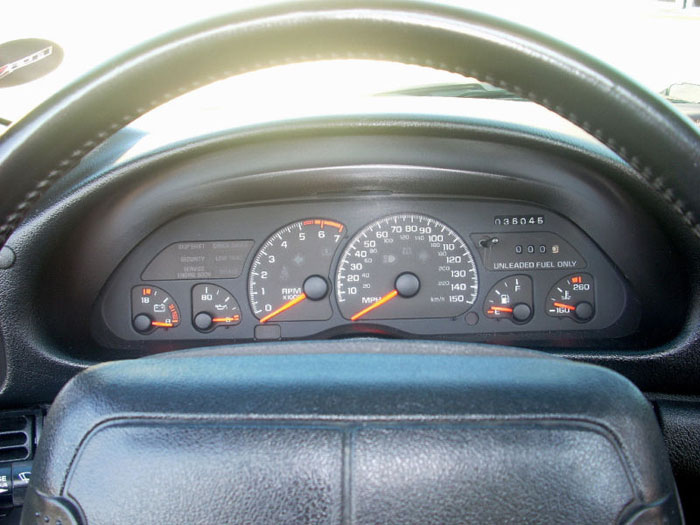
(151, 308)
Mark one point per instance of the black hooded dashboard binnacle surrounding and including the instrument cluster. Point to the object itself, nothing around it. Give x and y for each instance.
(322, 233)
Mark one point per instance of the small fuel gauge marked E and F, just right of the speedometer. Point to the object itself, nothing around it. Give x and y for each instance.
(510, 298)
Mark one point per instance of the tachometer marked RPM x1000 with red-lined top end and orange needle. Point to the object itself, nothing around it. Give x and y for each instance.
(289, 277)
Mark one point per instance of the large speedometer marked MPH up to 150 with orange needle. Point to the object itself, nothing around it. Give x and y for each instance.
(406, 266)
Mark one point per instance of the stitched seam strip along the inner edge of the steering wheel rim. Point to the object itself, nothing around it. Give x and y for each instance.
(655, 182)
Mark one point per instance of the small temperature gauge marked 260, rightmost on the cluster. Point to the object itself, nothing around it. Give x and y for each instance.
(572, 297)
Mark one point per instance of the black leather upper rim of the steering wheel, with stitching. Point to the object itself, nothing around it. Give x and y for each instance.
(662, 145)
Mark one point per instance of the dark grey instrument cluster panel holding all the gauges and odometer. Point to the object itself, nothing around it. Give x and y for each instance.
(377, 265)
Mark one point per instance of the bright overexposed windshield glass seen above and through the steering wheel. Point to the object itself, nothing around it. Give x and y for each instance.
(654, 42)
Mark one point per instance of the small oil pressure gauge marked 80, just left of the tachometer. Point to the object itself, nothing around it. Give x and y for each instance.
(213, 306)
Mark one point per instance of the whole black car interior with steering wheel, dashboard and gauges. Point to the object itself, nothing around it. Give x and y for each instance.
(386, 317)
